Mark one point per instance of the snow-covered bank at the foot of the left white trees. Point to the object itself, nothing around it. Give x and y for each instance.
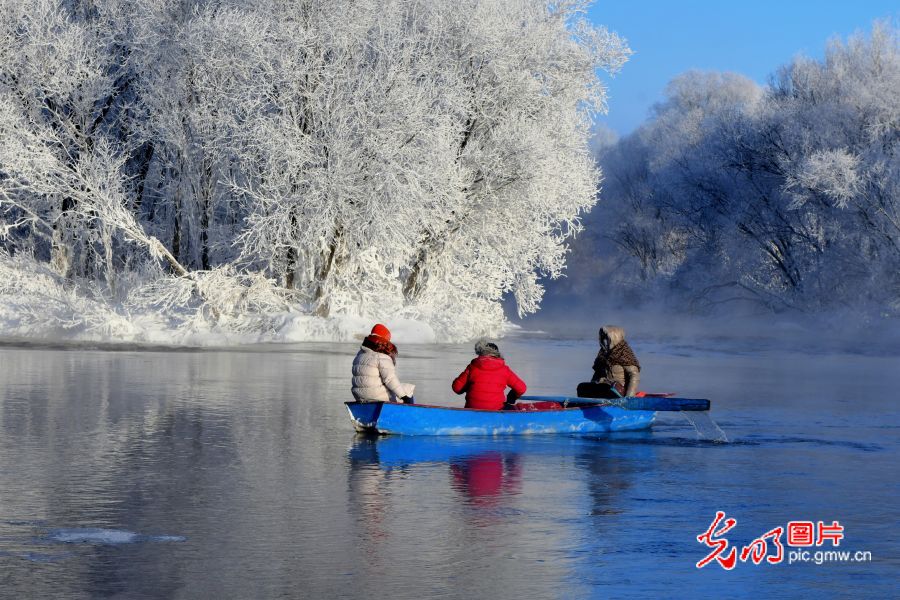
(35, 304)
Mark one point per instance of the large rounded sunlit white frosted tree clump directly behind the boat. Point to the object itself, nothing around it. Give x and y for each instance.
(423, 155)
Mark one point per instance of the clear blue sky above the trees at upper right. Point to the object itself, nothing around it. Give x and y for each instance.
(748, 37)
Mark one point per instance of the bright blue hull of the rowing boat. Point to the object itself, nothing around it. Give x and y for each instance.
(418, 419)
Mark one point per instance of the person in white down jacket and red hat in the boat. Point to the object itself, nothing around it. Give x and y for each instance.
(374, 373)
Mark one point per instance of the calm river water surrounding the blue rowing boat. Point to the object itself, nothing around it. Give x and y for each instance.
(237, 474)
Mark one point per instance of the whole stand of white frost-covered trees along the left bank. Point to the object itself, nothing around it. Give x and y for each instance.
(419, 158)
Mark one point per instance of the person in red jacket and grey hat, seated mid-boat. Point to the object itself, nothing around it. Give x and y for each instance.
(486, 378)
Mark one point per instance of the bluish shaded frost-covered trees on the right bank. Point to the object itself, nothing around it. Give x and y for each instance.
(785, 196)
